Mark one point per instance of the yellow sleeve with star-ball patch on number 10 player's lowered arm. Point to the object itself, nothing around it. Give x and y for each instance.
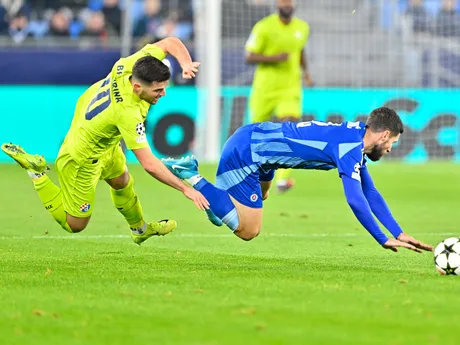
(131, 126)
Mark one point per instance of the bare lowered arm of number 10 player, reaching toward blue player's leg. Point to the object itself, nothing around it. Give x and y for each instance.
(158, 170)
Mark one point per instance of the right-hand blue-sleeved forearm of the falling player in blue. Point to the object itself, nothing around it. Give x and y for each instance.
(378, 205)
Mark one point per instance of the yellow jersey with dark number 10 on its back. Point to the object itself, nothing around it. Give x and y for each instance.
(109, 111)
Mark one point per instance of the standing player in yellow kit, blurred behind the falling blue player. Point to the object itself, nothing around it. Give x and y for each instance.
(276, 45)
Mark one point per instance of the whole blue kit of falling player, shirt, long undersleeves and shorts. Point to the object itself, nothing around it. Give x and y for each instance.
(255, 151)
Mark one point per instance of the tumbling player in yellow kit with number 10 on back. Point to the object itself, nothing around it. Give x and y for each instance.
(112, 109)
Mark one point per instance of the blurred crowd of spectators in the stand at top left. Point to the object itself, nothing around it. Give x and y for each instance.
(153, 19)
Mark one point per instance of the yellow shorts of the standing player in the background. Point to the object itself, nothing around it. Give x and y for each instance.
(264, 108)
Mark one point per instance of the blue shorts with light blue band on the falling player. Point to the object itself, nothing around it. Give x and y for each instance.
(237, 173)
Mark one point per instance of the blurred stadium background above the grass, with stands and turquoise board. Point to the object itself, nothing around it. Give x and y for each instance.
(362, 54)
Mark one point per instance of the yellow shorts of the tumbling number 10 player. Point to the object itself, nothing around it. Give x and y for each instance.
(78, 181)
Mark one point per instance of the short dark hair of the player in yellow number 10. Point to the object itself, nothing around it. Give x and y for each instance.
(149, 69)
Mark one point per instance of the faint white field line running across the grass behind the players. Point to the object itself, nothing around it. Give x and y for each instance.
(90, 237)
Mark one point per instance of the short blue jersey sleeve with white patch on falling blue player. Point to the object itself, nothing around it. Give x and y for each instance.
(350, 159)
